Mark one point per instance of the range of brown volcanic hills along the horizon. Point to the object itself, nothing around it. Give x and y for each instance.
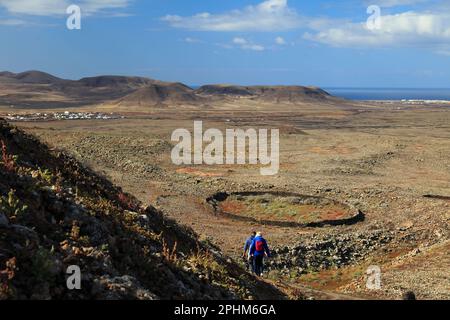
(36, 89)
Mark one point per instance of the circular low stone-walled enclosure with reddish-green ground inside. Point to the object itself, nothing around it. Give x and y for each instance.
(284, 209)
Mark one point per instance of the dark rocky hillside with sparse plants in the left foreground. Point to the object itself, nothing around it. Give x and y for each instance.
(55, 212)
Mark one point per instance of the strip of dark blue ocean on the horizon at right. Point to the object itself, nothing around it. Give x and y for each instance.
(390, 94)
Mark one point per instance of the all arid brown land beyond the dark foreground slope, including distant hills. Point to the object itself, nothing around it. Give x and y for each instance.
(386, 161)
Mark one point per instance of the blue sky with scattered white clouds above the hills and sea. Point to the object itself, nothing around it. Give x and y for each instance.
(326, 43)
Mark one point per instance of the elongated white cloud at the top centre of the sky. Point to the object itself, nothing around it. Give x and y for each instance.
(269, 15)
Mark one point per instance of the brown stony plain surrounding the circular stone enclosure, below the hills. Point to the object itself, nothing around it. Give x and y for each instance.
(379, 159)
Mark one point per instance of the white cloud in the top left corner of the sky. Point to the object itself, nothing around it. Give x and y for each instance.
(58, 7)
